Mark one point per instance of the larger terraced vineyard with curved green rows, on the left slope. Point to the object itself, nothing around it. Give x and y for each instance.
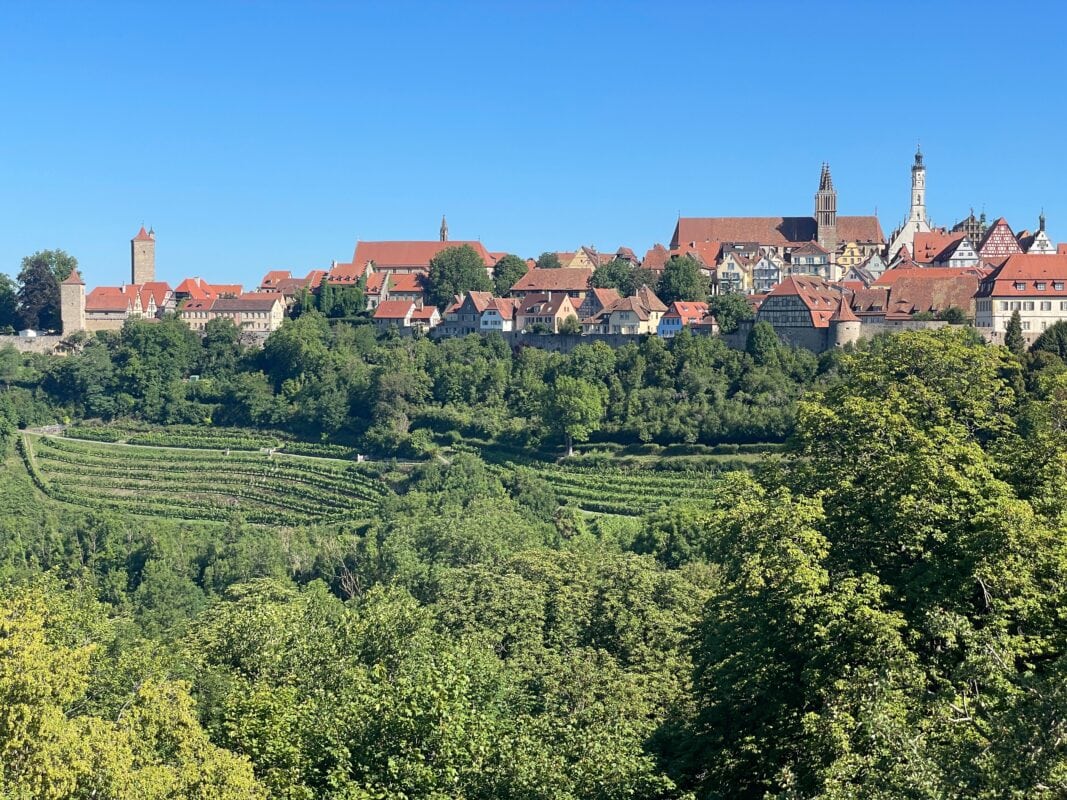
(200, 485)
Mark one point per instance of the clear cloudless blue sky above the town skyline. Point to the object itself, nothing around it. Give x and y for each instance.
(273, 136)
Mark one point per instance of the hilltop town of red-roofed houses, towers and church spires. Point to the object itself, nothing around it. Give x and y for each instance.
(821, 282)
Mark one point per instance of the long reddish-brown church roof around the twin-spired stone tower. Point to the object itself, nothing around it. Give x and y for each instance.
(777, 231)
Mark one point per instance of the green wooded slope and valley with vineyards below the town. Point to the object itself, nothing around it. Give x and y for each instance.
(874, 606)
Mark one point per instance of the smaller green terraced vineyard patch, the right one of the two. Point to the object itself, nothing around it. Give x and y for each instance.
(623, 492)
